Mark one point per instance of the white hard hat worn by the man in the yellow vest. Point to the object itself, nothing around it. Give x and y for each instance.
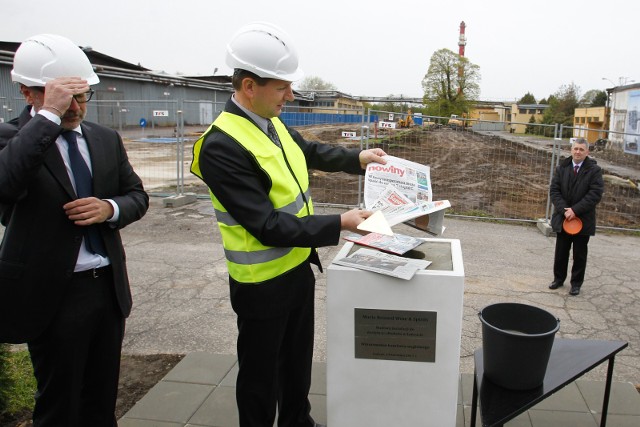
(265, 50)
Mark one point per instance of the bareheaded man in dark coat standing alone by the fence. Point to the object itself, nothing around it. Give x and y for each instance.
(576, 189)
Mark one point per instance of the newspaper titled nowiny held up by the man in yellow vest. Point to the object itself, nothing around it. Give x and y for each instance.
(401, 191)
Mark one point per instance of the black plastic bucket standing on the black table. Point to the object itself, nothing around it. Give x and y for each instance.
(516, 344)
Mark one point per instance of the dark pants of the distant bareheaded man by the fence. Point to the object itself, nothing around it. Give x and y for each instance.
(564, 242)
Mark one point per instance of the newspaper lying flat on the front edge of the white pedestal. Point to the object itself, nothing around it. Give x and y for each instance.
(383, 263)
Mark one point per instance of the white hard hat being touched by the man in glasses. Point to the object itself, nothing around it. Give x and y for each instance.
(47, 56)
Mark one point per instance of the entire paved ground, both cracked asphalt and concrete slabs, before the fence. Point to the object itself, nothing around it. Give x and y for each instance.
(182, 306)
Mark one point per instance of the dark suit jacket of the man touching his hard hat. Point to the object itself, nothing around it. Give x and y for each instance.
(40, 244)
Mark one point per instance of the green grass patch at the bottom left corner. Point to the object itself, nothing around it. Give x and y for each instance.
(17, 383)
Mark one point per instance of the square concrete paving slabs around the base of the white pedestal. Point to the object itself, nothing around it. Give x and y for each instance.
(175, 403)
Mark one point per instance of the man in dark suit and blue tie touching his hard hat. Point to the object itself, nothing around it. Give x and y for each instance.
(64, 196)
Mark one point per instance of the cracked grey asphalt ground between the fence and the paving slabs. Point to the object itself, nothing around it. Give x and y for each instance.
(181, 302)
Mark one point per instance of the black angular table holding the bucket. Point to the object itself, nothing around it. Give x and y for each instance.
(569, 360)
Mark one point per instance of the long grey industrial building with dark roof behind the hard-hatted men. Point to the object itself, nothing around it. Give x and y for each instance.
(128, 93)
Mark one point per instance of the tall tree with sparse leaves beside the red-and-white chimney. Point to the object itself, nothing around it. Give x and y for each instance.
(451, 85)
